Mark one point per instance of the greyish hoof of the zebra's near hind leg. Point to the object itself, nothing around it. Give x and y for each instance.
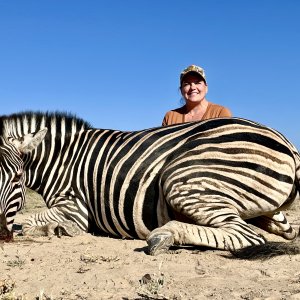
(160, 243)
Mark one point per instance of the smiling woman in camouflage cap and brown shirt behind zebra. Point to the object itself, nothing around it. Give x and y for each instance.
(193, 87)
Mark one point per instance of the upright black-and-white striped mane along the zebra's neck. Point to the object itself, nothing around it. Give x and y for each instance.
(18, 124)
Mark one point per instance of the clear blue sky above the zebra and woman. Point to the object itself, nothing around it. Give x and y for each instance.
(117, 63)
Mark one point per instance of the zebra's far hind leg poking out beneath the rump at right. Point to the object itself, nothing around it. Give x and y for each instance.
(275, 223)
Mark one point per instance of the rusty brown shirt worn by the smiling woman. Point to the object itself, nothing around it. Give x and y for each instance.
(176, 116)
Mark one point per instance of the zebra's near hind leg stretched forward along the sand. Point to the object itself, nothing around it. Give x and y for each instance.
(224, 231)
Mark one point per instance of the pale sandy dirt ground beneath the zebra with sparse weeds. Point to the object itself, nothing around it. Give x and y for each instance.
(93, 267)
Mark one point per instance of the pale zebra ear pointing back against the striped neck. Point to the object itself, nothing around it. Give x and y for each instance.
(30, 141)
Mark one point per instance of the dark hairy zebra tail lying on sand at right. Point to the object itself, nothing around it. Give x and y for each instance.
(268, 250)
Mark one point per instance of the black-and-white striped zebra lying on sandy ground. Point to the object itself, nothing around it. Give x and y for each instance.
(194, 183)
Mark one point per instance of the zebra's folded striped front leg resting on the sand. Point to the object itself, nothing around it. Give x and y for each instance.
(52, 222)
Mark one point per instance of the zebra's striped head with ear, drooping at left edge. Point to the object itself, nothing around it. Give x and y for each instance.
(12, 177)
